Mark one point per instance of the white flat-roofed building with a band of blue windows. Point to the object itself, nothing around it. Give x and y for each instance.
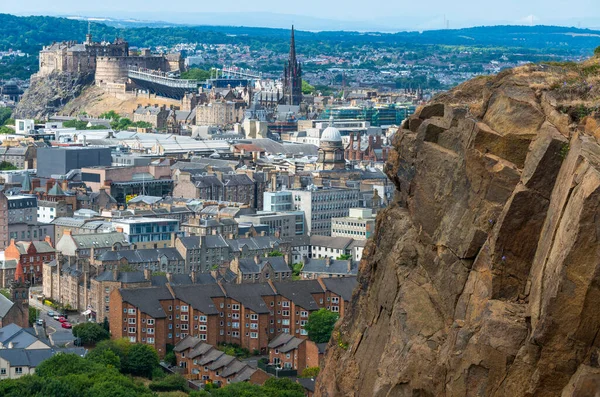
(149, 232)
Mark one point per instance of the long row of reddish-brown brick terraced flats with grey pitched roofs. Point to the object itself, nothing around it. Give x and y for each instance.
(249, 315)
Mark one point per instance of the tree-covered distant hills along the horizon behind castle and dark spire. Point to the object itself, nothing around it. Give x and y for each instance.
(29, 34)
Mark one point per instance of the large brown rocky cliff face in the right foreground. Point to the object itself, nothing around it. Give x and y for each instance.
(484, 278)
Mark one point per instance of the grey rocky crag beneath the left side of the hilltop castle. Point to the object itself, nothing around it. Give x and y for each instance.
(49, 94)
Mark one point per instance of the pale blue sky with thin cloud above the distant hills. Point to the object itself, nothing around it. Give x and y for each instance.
(383, 15)
